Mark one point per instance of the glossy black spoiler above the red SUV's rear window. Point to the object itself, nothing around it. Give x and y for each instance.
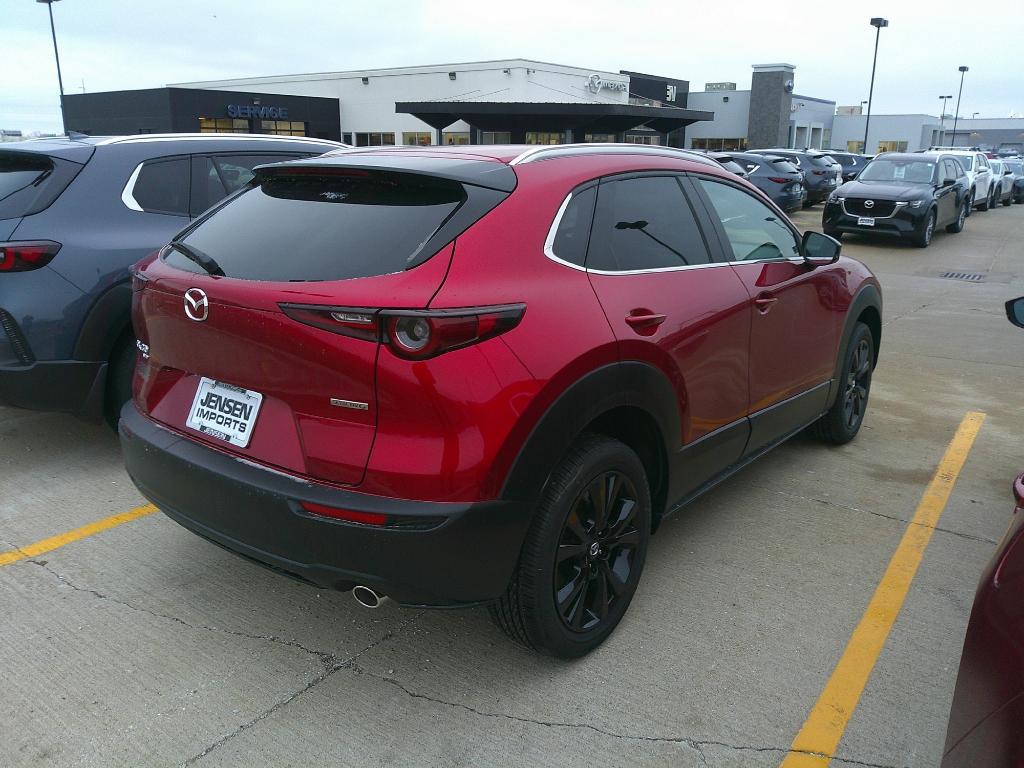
(477, 173)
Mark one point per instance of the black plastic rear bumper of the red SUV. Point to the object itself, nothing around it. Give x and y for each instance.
(465, 558)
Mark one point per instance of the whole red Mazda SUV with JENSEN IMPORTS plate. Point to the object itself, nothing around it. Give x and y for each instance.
(483, 375)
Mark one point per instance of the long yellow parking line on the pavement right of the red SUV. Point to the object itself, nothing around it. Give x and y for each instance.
(817, 743)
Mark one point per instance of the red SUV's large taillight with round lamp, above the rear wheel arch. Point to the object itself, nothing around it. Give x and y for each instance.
(413, 334)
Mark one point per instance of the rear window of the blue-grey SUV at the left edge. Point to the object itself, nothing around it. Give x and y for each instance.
(31, 182)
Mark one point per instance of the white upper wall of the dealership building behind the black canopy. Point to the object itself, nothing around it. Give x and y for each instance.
(370, 107)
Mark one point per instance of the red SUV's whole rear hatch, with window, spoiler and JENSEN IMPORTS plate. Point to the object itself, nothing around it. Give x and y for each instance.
(261, 323)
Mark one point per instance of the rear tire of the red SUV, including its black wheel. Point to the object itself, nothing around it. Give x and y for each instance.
(568, 522)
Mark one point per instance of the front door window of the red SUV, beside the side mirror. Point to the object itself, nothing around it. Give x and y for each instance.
(754, 231)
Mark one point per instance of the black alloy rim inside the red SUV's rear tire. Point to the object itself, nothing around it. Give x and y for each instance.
(596, 551)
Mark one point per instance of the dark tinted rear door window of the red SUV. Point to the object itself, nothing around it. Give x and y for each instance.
(645, 224)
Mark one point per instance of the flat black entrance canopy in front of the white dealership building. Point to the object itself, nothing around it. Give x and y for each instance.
(520, 117)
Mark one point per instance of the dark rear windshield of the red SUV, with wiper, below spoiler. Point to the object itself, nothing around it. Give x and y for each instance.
(307, 225)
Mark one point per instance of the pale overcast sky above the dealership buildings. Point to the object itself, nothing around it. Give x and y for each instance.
(117, 45)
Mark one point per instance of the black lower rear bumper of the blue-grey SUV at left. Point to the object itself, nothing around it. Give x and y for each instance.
(60, 386)
